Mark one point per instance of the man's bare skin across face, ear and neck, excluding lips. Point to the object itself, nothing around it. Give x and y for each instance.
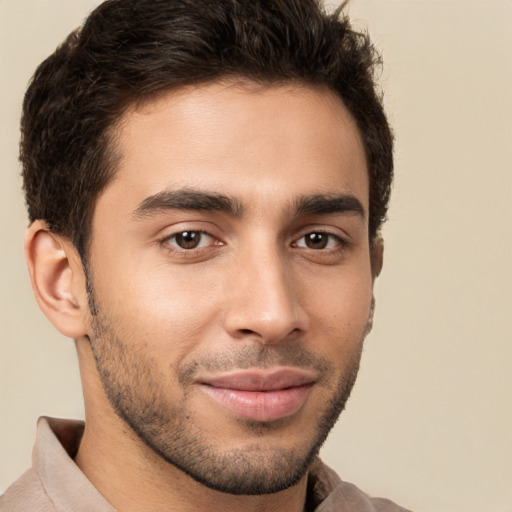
(261, 290)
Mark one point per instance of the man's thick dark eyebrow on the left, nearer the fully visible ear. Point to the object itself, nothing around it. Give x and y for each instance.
(186, 199)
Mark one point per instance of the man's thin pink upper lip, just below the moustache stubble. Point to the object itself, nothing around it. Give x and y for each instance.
(260, 379)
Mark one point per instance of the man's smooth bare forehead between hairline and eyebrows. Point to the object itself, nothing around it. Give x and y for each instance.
(242, 140)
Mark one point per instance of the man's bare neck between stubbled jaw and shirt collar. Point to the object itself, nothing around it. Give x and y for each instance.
(133, 478)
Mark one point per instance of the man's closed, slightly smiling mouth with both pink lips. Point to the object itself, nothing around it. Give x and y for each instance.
(260, 395)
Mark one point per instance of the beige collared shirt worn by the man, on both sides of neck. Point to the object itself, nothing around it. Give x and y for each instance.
(54, 483)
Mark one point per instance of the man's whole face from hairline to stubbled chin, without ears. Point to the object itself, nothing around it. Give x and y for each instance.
(230, 279)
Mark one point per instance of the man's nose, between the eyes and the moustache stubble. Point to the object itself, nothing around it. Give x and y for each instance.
(263, 300)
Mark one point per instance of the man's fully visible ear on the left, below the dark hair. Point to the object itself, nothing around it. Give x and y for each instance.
(58, 279)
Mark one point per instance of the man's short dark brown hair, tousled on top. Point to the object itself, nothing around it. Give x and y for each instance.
(129, 50)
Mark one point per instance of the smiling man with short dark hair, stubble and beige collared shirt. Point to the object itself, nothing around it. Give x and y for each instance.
(206, 181)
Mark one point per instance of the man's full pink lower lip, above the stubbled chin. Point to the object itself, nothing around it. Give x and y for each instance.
(260, 405)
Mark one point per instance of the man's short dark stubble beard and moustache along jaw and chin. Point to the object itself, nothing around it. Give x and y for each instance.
(137, 394)
